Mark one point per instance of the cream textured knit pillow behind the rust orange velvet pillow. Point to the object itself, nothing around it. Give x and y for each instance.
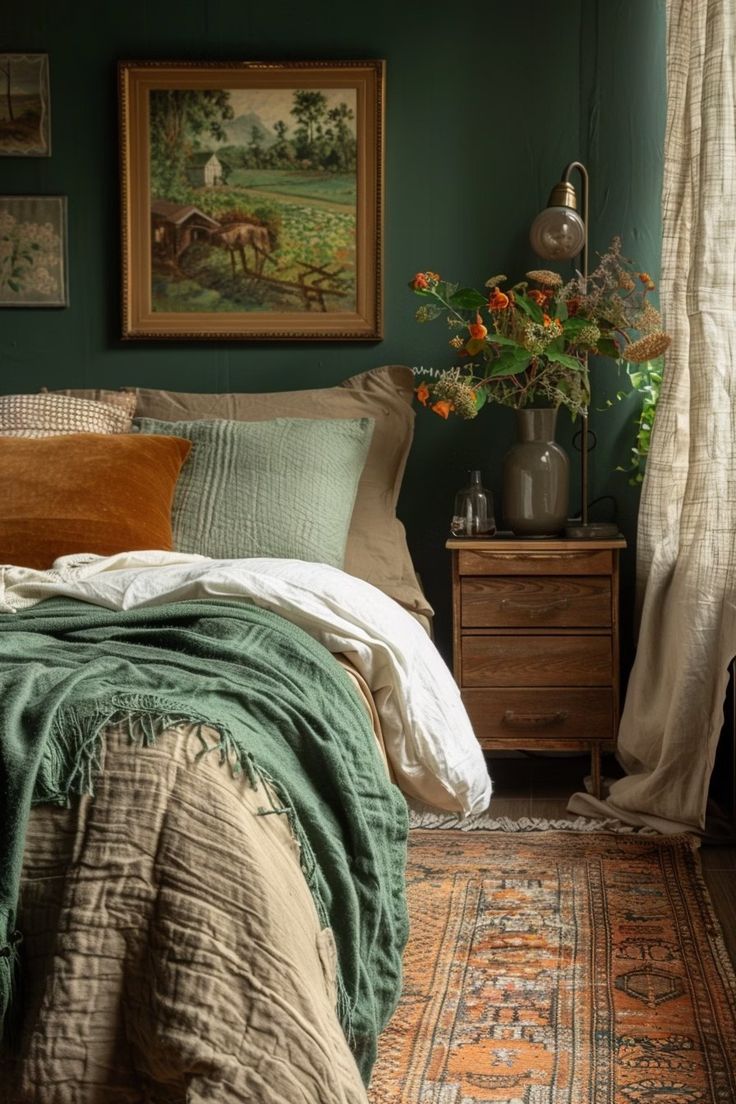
(49, 416)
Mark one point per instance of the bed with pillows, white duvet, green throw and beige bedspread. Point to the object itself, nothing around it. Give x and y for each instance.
(217, 705)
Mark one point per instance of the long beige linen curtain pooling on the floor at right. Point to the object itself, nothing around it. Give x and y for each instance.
(687, 539)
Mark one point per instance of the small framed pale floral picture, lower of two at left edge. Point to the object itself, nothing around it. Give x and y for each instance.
(34, 270)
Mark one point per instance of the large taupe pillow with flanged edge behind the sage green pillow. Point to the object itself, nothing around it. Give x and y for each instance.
(377, 548)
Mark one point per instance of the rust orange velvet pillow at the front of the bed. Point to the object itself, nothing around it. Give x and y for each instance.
(87, 493)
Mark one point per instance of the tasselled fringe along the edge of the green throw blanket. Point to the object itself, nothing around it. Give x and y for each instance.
(73, 758)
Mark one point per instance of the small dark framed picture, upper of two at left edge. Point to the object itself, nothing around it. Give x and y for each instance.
(25, 111)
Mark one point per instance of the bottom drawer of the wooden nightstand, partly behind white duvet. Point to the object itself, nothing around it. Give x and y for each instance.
(517, 718)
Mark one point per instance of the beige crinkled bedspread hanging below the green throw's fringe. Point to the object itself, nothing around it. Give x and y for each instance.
(173, 948)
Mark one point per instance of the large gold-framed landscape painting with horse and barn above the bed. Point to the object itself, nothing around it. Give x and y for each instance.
(252, 200)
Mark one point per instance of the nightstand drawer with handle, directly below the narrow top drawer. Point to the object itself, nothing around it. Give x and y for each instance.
(499, 602)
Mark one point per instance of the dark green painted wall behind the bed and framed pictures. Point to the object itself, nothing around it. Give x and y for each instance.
(486, 105)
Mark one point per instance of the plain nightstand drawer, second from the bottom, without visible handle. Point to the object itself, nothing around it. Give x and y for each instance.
(536, 661)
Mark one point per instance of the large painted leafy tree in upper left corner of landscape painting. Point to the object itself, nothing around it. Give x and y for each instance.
(178, 119)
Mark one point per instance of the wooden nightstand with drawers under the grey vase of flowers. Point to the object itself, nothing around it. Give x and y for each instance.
(536, 643)
